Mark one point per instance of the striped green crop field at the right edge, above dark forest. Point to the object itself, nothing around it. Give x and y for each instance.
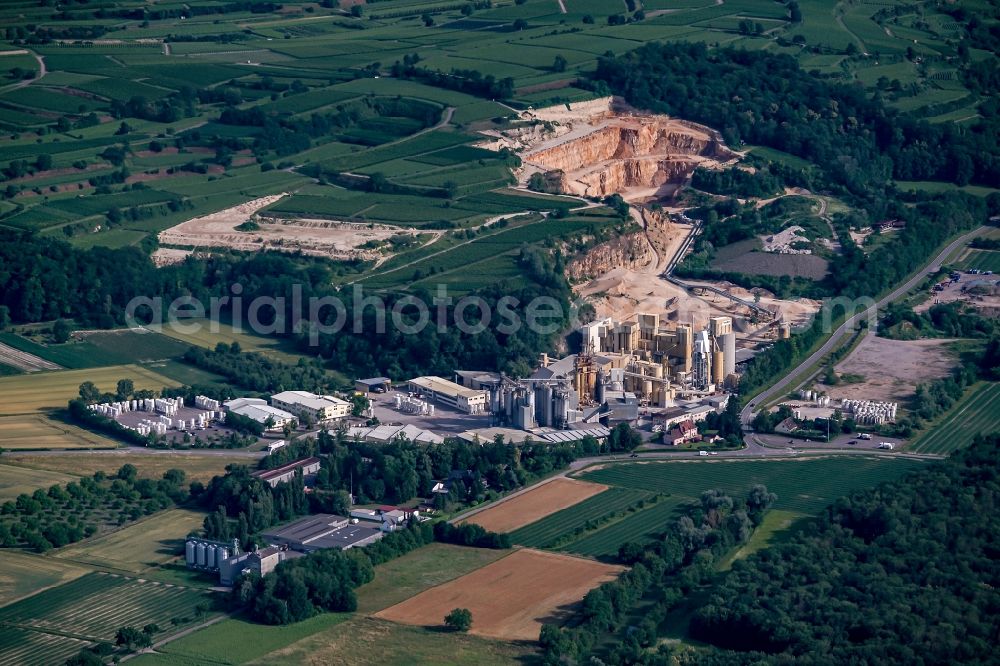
(978, 412)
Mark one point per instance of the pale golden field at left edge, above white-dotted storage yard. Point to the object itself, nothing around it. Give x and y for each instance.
(38, 392)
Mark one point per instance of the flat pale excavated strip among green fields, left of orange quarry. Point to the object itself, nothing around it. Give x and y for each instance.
(322, 238)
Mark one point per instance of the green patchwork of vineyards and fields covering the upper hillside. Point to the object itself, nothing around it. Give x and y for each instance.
(129, 130)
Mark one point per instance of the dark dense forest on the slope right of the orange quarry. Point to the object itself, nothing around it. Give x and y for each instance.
(770, 100)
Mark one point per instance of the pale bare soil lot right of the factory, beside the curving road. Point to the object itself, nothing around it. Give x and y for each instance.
(893, 368)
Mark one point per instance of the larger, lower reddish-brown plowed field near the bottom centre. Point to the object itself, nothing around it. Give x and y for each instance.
(511, 598)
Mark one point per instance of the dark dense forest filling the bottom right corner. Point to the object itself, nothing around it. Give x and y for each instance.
(905, 573)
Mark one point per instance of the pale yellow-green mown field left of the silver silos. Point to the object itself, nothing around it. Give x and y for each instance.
(147, 543)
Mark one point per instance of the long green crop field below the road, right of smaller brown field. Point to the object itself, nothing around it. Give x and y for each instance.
(803, 486)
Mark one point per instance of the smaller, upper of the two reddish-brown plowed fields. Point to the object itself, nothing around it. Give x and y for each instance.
(535, 504)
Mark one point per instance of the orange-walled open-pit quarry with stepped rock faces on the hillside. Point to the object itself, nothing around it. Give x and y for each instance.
(604, 147)
